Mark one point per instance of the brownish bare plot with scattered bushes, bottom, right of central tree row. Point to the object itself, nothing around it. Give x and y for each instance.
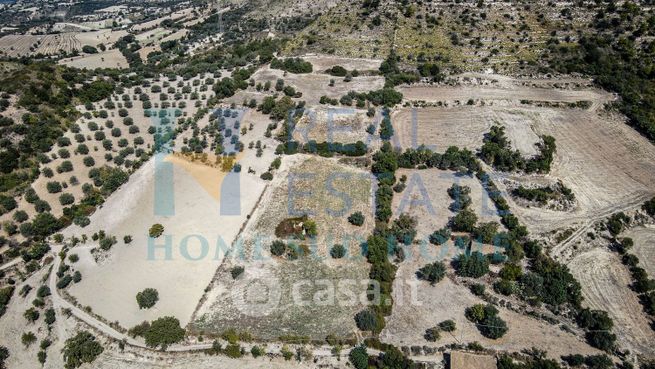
(419, 306)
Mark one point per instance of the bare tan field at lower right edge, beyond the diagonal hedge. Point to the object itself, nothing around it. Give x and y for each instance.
(605, 283)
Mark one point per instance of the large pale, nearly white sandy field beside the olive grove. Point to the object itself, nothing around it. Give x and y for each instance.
(130, 212)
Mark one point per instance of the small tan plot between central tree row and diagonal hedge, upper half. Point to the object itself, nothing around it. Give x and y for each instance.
(426, 198)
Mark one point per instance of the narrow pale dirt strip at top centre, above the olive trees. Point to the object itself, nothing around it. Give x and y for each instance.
(314, 85)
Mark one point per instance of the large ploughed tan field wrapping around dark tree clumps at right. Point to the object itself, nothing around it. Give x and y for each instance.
(606, 163)
